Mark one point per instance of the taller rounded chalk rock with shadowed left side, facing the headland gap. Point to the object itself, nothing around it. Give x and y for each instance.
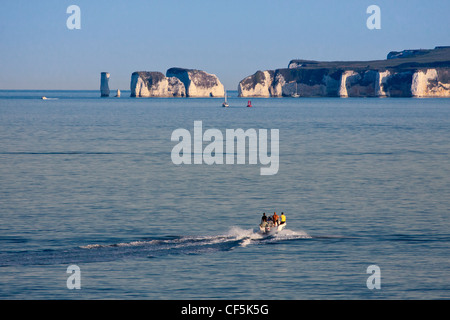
(198, 83)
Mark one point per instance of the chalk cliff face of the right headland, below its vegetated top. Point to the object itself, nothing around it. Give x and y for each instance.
(432, 82)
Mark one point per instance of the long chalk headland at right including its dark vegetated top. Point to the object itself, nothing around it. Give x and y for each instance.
(408, 73)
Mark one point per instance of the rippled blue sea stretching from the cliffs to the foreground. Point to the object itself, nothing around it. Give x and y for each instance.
(89, 181)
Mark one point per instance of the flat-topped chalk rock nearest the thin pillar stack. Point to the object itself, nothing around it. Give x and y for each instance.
(155, 84)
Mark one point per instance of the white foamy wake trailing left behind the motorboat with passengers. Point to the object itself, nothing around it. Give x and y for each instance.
(234, 238)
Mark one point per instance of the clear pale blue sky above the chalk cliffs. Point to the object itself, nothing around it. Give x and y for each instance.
(231, 39)
